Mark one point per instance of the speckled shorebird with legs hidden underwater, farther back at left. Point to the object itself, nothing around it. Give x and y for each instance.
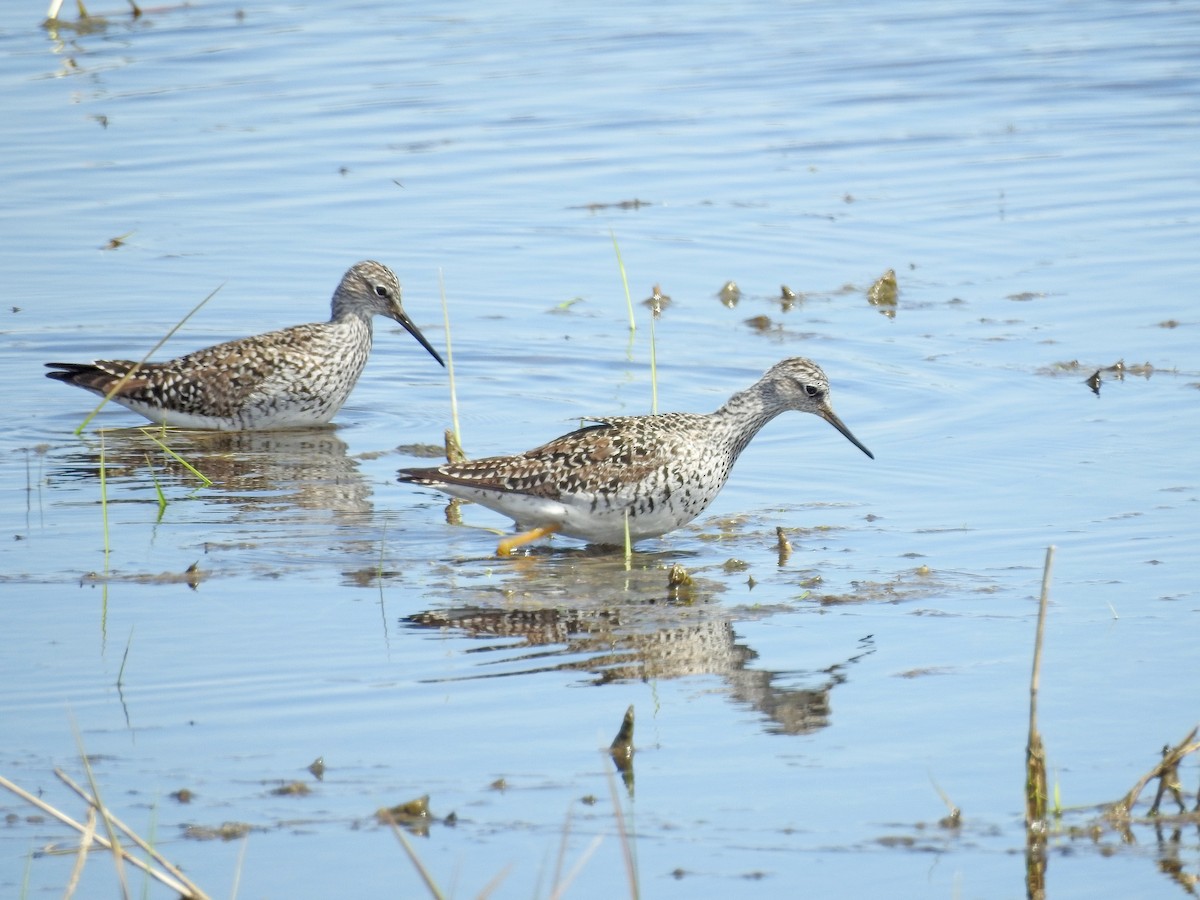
(293, 379)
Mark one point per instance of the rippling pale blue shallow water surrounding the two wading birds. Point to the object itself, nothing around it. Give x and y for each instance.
(1030, 175)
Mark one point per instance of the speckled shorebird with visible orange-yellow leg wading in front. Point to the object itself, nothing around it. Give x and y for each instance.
(650, 473)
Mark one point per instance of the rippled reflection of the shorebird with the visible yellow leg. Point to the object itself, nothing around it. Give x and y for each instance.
(623, 626)
